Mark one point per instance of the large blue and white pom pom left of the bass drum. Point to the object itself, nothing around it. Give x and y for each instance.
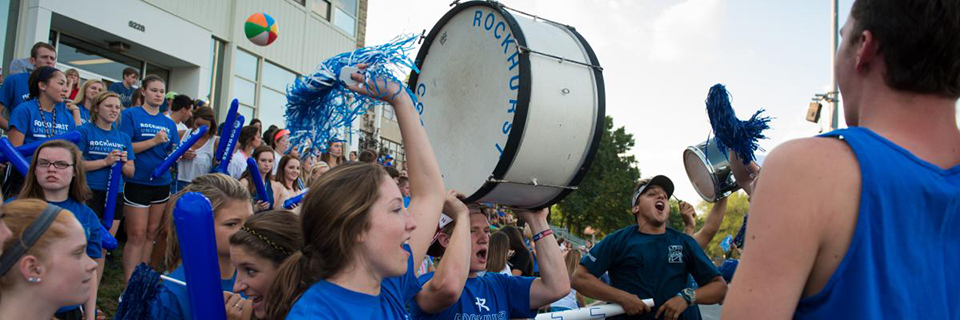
(319, 104)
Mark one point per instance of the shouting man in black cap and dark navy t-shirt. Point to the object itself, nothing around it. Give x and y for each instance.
(649, 260)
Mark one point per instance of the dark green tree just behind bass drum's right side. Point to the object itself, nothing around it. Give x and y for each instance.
(603, 198)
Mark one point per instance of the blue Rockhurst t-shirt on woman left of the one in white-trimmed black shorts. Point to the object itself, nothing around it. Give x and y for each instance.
(96, 144)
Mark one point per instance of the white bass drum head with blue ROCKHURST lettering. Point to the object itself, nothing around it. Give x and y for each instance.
(467, 66)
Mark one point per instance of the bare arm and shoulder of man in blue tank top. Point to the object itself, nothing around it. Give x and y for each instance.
(809, 188)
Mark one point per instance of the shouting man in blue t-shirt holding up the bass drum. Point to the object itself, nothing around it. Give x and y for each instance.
(493, 295)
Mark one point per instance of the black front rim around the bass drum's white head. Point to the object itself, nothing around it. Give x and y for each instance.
(523, 94)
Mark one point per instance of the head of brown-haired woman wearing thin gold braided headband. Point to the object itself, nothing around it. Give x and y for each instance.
(257, 251)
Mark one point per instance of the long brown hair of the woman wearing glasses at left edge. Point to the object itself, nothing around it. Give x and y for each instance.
(79, 191)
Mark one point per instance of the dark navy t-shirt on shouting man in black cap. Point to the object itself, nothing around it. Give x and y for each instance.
(651, 265)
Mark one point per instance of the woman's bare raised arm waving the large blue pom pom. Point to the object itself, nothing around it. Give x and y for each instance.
(426, 184)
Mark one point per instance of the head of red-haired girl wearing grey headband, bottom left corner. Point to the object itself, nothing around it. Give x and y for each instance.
(45, 265)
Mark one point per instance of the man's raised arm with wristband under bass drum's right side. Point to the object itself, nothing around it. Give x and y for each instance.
(553, 282)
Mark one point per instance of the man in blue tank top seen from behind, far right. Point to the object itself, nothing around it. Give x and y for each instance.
(864, 222)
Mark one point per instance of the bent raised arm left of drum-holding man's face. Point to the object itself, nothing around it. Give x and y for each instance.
(444, 289)
